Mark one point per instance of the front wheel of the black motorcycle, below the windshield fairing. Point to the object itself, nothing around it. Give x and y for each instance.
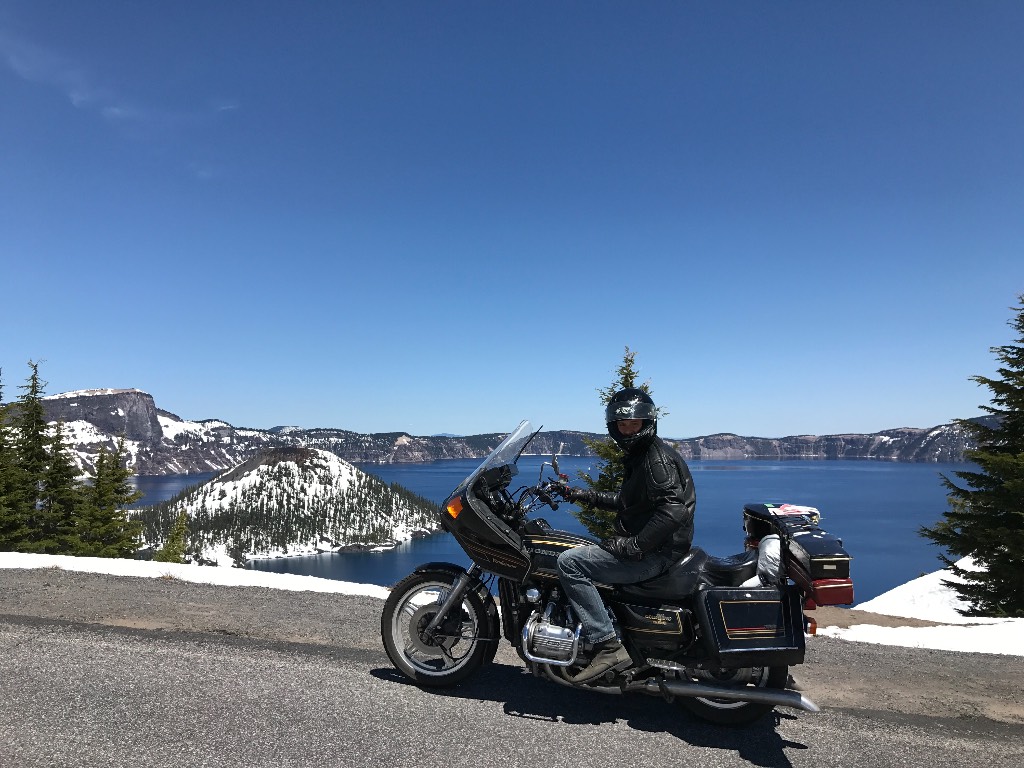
(456, 651)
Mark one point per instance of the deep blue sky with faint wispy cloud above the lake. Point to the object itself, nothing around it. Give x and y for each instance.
(805, 218)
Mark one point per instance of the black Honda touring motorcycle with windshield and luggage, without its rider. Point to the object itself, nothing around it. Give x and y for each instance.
(717, 636)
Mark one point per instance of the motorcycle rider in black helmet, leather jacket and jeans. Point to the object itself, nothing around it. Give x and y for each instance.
(655, 526)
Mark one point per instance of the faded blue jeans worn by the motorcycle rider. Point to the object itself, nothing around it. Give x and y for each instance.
(581, 567)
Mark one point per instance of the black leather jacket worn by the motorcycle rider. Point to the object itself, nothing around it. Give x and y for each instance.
(657, 500)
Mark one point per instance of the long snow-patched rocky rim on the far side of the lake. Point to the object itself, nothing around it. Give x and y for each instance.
(161, 443)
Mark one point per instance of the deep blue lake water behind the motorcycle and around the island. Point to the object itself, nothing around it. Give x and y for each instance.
(876, 507)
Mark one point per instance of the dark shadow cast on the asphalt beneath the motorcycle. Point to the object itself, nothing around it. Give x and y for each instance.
(527, 697)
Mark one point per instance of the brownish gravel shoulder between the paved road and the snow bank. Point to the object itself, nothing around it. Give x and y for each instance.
(838, 674)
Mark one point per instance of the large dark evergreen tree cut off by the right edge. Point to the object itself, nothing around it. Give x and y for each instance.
(986, 521)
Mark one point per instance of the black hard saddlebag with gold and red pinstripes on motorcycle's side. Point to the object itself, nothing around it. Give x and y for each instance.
(759, 627)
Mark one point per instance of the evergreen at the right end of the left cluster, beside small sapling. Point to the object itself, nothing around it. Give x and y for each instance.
(104, 529)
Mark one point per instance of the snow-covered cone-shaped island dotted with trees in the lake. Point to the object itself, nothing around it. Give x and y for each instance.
(290, 501)
